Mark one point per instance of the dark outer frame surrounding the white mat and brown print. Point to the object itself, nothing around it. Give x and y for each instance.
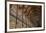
(25, 2)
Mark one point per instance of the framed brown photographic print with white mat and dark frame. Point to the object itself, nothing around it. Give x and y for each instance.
(25, 16)
